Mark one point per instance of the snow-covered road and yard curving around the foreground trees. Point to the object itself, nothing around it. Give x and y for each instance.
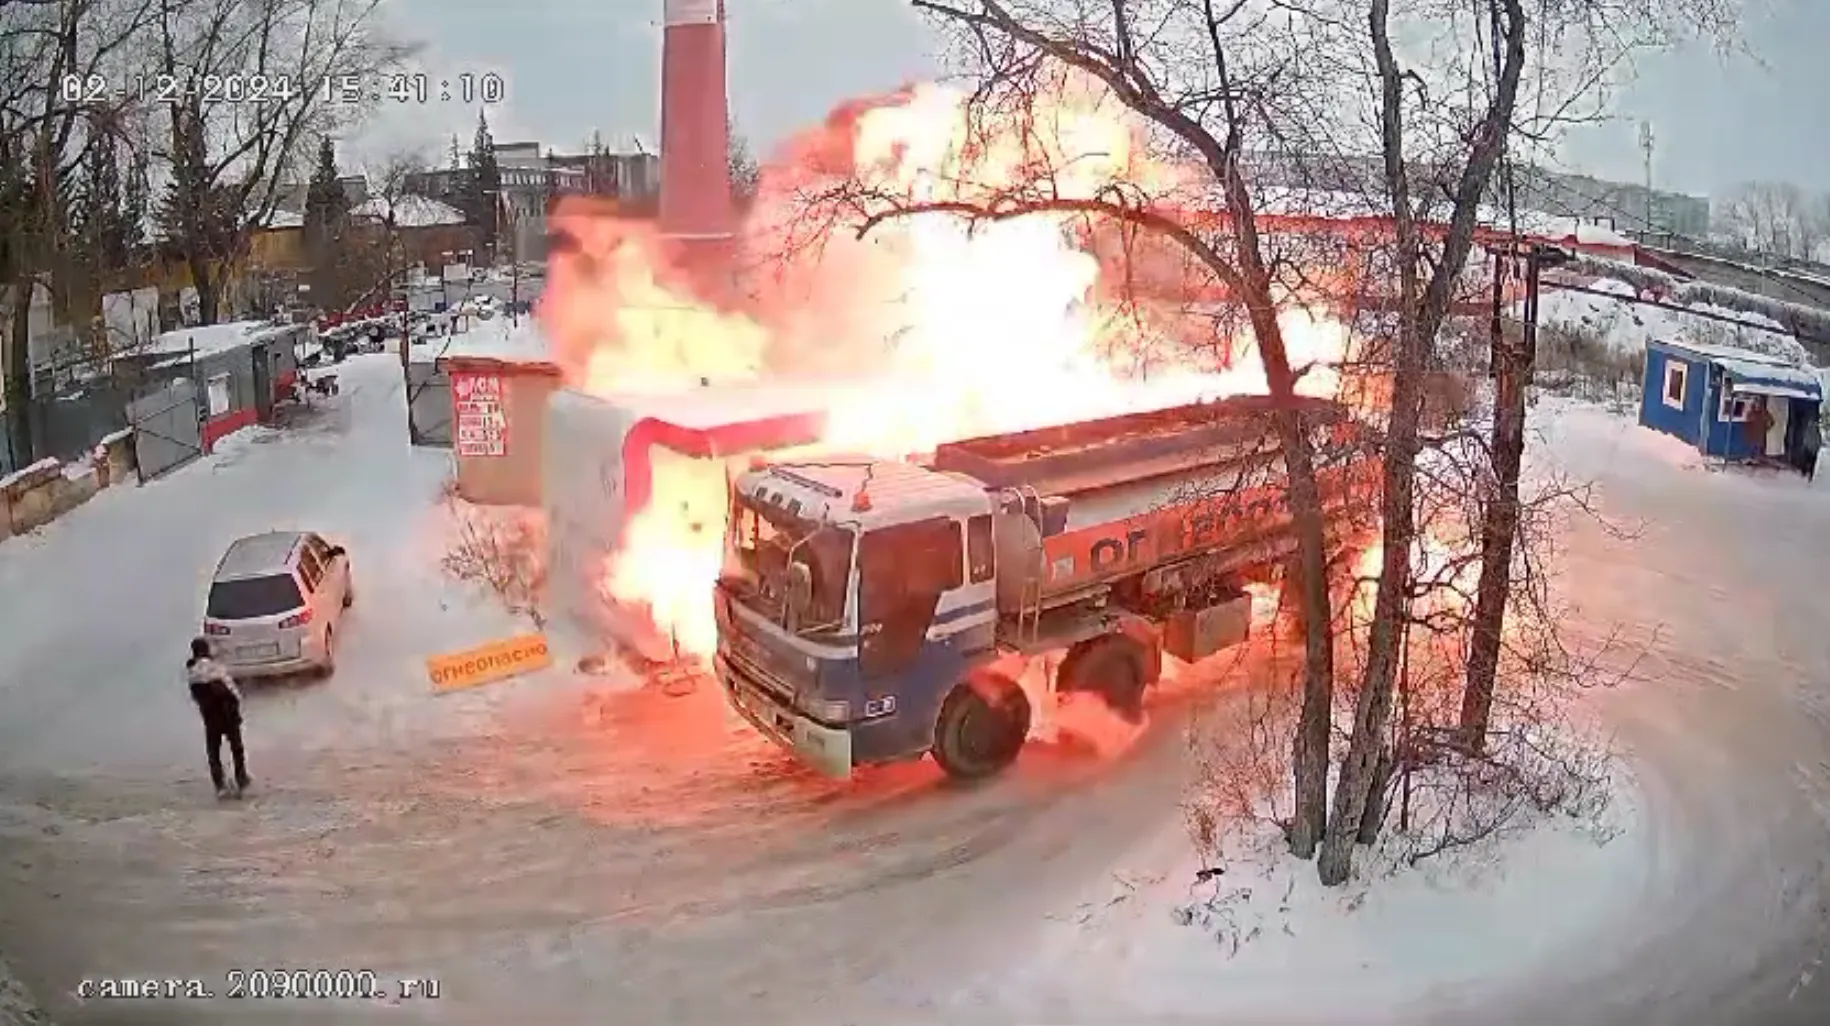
(645, 860)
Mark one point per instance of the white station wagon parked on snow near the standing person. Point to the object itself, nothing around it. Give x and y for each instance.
(277, 603)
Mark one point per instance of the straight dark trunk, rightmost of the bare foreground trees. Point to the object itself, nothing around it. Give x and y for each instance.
(1500, 522)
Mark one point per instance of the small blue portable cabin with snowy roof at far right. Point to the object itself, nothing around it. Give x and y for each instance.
(1706, 396)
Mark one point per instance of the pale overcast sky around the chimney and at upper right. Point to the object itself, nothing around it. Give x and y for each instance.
(574, 67)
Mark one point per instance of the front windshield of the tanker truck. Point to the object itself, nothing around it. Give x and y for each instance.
(762, 544)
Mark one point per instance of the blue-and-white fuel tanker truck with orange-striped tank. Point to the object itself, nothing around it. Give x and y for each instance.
(874, 612)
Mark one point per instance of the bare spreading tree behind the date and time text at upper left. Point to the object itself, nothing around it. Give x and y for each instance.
(230, 156)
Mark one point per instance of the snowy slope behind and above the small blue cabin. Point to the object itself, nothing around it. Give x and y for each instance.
(1626, 326)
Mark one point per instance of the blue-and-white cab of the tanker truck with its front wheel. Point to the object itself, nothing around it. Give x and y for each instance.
(856, 599)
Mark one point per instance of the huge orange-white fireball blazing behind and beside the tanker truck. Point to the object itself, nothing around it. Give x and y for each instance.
(982, 328)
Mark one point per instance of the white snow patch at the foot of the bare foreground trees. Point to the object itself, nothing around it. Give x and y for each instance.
(1254, 939)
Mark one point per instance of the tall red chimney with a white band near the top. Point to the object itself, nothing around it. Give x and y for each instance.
(694, 125)
